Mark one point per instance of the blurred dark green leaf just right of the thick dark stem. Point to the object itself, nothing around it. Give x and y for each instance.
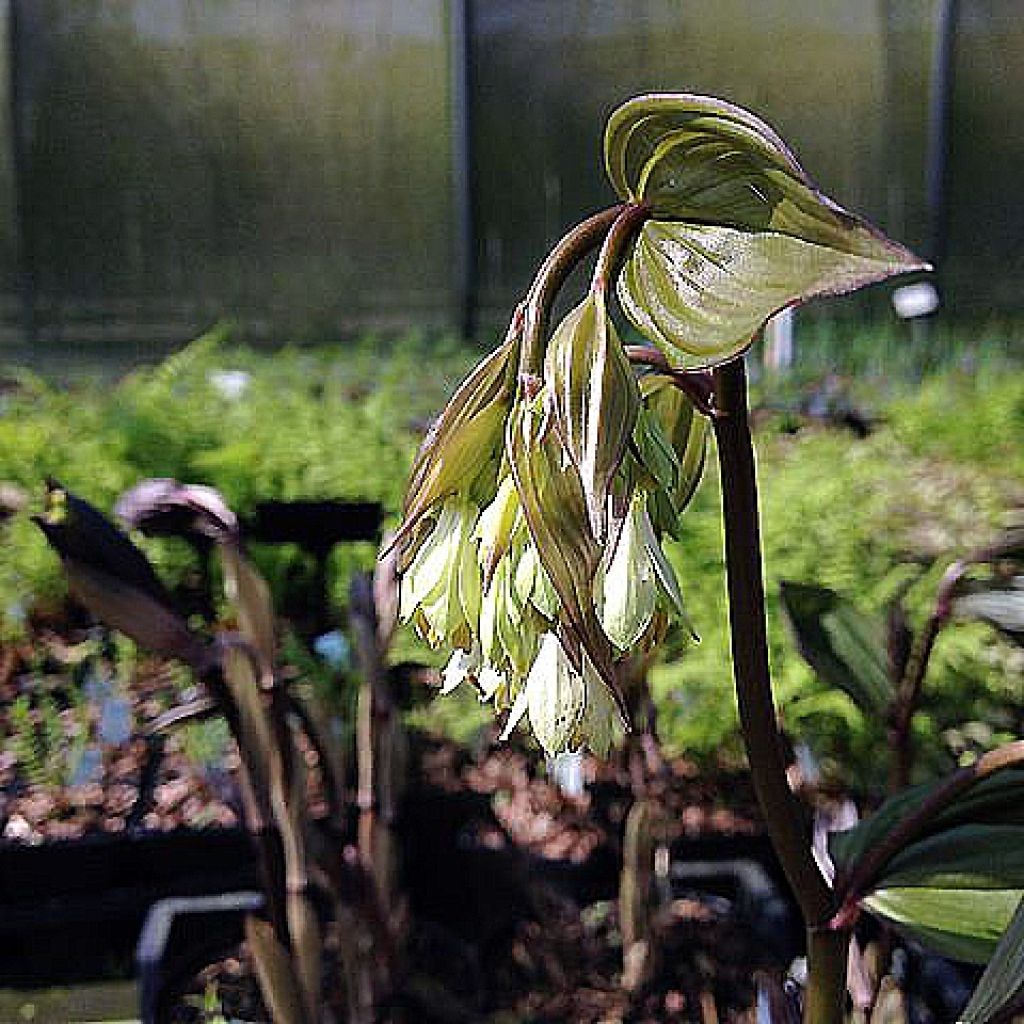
(843, 646)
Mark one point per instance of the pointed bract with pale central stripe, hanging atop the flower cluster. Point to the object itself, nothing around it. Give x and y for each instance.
(594, 396)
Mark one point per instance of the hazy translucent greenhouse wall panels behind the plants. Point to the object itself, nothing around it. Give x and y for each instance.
(323, 166)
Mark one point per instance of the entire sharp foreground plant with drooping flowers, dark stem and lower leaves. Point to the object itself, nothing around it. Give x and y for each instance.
(532, 538)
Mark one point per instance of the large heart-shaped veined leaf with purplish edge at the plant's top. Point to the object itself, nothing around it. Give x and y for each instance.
(739, 232)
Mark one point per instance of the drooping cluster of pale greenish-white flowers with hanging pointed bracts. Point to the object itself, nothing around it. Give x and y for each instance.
(531, 543)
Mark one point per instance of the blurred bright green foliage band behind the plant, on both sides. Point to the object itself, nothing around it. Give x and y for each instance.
(940, 473)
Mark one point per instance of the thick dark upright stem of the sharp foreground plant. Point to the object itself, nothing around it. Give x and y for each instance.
(827, 962)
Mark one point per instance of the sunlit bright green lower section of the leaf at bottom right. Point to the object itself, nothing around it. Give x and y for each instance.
(962, 924)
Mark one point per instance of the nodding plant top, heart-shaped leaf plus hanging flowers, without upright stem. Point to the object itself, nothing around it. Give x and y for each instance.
(532, 538)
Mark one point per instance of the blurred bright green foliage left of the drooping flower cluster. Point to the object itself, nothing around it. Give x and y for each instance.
(326, 422)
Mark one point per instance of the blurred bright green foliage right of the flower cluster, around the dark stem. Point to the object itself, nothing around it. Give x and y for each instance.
(862, 518)
